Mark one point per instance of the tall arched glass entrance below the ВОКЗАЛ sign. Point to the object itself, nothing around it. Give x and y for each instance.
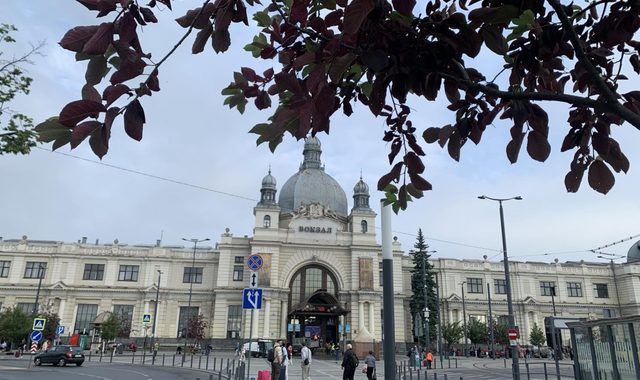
(315, 309)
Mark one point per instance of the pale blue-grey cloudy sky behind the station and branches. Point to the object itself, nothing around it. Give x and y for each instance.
(197, 171)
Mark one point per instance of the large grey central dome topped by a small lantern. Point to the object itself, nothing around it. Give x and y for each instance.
(312, 185)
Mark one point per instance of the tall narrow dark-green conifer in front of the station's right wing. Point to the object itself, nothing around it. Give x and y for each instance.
(417, 303)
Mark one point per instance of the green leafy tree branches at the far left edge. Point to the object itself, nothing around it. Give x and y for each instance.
(18, 135)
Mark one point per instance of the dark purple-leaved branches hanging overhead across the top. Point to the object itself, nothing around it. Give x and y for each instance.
(331, 55)
